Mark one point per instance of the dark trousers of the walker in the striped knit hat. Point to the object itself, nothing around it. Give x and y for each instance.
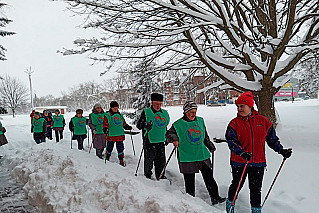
(209, 180)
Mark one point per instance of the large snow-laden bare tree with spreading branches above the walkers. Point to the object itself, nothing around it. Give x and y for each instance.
(249, 44)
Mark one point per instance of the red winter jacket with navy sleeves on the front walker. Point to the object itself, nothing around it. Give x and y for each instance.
(249, 134)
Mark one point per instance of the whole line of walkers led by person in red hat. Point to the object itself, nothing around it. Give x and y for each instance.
(246, 136)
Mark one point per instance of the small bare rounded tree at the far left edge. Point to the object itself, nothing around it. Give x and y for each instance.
(13, 93)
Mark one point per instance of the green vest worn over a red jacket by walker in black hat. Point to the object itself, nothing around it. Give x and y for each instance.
(116, 122)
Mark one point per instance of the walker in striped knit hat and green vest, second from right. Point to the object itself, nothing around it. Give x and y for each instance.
(194, 148)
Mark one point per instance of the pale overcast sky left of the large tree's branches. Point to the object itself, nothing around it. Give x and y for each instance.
(42, 28)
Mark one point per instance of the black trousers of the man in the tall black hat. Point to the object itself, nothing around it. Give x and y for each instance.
(154, 154)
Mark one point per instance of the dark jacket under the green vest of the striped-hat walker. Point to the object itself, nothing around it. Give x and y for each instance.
(190, 167)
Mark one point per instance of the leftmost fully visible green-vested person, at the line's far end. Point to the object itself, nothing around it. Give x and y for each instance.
(39, 128)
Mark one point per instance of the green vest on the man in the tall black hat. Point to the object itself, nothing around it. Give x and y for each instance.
(160, 120)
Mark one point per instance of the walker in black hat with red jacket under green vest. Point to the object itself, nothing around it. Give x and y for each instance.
(113, 126)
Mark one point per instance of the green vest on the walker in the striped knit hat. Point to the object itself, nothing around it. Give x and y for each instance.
(191, 140)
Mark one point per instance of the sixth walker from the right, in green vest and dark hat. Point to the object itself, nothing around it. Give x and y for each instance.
(77, 126)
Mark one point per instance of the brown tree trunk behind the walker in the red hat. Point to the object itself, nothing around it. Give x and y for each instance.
(265, 103)
